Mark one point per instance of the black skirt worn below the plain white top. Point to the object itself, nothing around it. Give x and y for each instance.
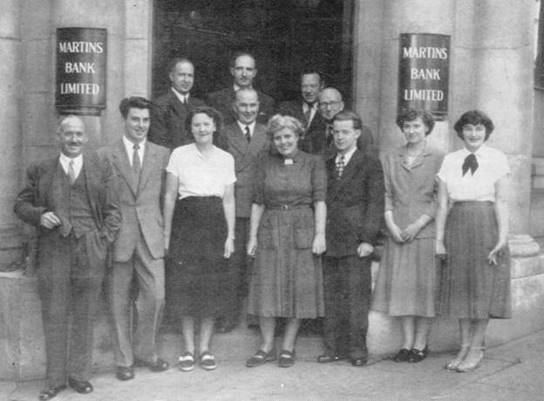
(199, 280)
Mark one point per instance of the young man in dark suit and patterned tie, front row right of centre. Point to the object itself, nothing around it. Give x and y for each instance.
(355, 207)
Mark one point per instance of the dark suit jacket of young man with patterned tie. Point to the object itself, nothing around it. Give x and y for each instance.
(355, 204)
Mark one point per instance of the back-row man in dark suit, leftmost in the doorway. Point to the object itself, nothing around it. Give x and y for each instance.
(171, 109)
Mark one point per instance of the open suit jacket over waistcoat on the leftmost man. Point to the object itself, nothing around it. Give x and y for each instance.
(39, 196)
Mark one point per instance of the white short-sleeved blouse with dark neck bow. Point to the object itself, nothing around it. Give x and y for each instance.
(492, 166)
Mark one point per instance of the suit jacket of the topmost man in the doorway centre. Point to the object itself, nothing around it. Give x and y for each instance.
(222, 100)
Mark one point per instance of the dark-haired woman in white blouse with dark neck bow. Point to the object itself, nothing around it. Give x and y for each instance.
(472, 229)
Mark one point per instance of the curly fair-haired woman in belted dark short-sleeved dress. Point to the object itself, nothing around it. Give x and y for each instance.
(287, 235)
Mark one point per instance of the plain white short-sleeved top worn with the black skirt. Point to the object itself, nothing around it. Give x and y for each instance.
(200, 175)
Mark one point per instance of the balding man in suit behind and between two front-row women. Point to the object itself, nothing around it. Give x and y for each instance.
(246, 139)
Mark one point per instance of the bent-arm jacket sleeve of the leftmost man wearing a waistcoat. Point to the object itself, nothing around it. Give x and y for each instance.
(27, 206)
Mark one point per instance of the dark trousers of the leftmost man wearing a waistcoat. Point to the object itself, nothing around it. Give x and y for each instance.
(70, 278)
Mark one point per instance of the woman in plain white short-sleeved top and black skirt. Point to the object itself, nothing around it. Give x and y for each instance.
(199, 233)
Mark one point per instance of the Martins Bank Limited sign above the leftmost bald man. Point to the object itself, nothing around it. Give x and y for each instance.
(81, 70)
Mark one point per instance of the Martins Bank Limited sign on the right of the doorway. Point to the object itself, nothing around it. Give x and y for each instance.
(424, 72)
